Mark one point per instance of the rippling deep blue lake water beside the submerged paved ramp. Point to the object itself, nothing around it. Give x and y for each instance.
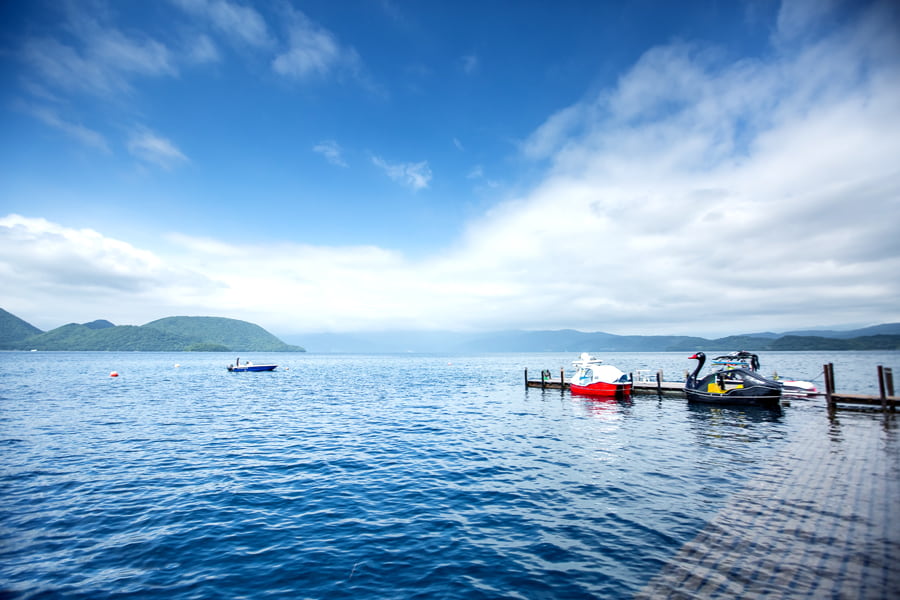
(387, 476)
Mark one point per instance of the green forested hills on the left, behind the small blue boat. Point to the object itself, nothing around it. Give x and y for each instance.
(172, 334)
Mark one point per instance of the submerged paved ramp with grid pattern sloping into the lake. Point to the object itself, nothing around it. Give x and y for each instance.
(820, 522)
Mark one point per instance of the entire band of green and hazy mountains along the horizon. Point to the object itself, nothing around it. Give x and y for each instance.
(175, 334)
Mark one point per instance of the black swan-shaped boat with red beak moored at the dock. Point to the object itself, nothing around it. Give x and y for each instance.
(734, 385)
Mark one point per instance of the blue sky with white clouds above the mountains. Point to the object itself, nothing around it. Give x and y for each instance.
(637, 167)
